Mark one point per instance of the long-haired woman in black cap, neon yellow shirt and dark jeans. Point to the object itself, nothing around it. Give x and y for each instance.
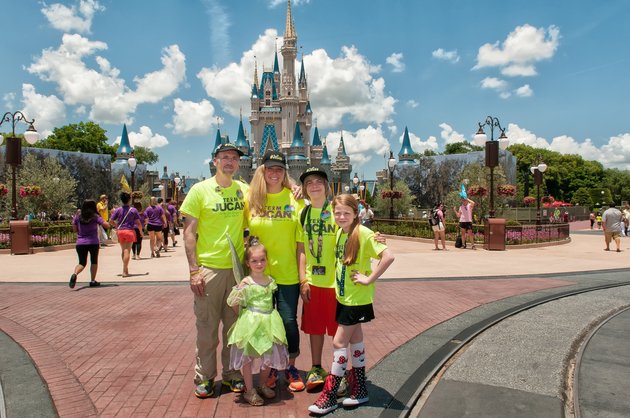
(273, 217)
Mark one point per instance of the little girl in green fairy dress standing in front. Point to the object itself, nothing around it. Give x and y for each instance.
(258, 332)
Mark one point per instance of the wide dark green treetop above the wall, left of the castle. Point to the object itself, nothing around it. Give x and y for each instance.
(82, 137)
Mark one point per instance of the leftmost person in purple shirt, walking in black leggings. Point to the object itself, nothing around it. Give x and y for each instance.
(86, 224)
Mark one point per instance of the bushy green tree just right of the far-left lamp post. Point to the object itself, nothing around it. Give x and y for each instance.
(57, 186)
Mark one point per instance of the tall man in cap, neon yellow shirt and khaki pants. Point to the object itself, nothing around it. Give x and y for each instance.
(214, 209)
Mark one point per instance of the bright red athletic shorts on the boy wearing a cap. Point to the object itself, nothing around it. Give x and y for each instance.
(318, 316)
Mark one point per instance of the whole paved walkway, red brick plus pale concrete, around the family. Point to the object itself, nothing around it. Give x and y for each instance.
(123, 349)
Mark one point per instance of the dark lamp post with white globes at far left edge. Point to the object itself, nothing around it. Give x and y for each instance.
(14, 150)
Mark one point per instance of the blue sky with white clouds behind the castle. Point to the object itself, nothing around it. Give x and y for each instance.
(555, 73)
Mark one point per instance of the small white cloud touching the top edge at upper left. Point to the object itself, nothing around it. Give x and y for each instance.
(72, 19)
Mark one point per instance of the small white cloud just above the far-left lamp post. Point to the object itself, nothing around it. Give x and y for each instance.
(48, 111)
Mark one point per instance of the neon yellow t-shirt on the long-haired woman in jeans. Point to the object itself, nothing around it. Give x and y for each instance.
(279, 230)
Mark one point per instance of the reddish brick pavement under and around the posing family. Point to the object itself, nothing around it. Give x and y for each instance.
(128, 350)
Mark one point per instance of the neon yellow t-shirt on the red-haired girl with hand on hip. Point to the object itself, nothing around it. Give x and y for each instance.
(355, 294)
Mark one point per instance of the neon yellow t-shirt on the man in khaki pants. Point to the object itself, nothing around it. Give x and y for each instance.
(219, 211)
